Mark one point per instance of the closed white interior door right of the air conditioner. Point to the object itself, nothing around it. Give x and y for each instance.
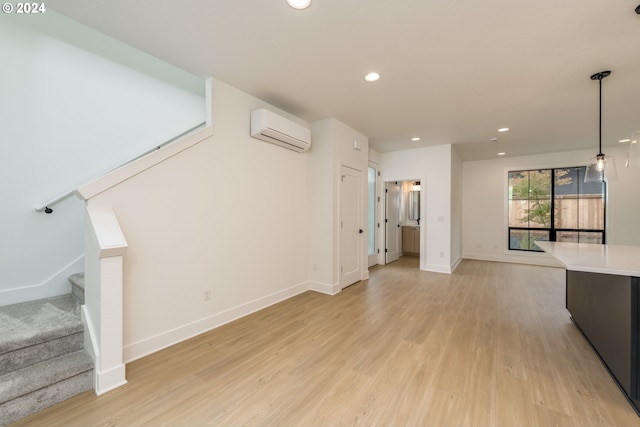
(351, 232)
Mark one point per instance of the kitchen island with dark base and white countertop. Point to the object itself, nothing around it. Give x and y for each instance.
(602, 297)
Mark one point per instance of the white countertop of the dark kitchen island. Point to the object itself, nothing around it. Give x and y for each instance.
(595, 258)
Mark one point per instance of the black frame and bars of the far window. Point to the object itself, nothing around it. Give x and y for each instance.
(553, 230)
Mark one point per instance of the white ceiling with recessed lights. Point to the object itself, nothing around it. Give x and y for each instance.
(453, 71)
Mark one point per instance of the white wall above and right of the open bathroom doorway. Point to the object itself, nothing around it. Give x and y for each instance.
(433, 166)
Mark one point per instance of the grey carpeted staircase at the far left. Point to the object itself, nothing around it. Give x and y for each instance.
(42, 360)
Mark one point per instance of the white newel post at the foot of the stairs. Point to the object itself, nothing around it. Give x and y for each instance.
(105, 246)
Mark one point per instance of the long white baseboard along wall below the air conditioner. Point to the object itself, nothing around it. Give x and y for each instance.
(166, 339)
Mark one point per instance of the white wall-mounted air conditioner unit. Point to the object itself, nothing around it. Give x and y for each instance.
(271, 127)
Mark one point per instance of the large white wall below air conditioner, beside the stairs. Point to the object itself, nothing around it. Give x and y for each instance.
(229, 215)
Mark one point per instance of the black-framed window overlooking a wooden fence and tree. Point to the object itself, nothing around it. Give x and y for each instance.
(554, 205)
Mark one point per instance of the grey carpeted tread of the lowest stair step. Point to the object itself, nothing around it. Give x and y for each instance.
(35, 377)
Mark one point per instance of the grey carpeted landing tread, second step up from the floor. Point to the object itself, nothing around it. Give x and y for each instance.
(34, 322)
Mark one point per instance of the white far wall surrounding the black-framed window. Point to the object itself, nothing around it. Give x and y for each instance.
(485, 206)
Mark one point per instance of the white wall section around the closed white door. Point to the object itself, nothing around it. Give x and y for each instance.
(332, 147)
